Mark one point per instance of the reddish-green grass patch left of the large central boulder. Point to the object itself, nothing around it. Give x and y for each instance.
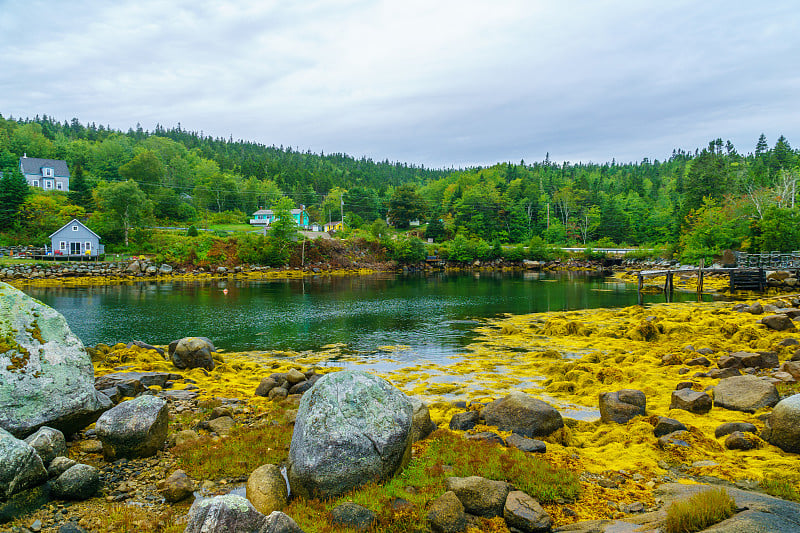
(238, 454)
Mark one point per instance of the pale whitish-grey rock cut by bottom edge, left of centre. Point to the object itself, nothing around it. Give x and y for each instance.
(223, 514)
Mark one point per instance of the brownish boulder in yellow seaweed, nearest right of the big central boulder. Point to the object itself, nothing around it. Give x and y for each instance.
(523, 415)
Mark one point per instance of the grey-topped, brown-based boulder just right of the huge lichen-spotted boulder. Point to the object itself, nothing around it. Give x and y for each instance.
(135, 428)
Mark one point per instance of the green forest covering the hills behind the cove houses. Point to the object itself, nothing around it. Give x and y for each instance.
(692, 205)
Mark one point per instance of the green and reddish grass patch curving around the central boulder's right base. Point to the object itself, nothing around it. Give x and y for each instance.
(444, 454)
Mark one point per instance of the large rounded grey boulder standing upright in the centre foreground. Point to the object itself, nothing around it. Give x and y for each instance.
(351, 428)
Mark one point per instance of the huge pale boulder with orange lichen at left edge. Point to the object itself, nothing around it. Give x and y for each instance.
(46, 376)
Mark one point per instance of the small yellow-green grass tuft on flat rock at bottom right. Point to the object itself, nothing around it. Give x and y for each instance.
(699, 512)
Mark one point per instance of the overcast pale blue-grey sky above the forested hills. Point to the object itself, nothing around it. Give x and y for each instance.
(437, 82)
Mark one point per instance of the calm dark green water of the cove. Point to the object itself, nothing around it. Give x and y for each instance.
(433, 314)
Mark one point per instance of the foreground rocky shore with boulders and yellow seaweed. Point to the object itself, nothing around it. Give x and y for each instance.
(188, 437)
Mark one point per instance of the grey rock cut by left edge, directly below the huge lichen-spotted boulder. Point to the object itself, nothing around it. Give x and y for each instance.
(20, 465)
